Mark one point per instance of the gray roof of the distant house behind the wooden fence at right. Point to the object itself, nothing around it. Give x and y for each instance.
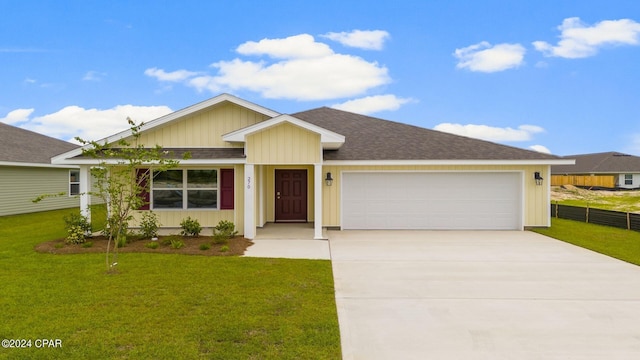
(606, 162)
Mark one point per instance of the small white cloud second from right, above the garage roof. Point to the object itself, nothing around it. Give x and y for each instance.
(483, 57)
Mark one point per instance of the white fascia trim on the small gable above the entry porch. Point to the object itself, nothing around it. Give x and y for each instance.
(328, 138)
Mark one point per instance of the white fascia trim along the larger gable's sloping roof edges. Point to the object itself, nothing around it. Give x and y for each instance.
(170, 117)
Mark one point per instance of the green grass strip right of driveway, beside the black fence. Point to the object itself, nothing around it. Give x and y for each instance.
(618, 243)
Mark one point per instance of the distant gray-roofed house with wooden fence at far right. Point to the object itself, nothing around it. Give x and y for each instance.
(608, 169)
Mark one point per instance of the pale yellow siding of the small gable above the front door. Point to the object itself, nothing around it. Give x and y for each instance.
(283, 144)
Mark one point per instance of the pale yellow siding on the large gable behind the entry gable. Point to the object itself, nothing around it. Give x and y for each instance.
(204, 128)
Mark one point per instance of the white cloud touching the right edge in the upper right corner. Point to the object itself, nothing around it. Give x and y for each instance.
(578, 40)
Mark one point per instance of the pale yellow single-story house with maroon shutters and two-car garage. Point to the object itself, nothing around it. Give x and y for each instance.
(252, 166)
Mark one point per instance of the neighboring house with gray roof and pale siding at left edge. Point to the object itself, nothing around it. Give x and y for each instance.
(26, 172)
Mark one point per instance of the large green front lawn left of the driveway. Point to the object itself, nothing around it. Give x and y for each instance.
(160, 306)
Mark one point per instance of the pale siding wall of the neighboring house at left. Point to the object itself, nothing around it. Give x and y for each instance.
(19, 185)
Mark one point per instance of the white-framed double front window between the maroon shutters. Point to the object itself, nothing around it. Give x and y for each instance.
(185, 189)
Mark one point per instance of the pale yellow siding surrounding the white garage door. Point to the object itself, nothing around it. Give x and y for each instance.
(536, 197)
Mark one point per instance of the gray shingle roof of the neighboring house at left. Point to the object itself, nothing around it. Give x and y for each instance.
(20, 145)
